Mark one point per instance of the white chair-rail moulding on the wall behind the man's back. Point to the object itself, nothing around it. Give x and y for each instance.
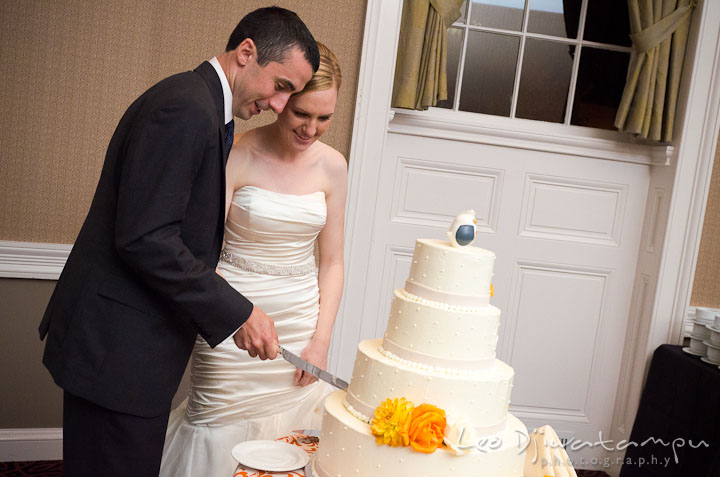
(43, 261)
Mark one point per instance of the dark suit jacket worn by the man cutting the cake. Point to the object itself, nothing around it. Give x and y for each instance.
(140, 282)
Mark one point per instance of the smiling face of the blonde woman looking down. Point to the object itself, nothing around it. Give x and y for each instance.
(307, 116)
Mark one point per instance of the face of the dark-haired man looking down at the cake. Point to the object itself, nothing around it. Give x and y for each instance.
(270, 86)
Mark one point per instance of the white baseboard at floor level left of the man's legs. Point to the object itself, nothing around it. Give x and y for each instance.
(30, 444)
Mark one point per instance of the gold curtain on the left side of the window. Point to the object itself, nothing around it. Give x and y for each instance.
(420, 71)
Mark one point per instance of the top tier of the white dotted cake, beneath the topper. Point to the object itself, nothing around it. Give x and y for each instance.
(449, 274)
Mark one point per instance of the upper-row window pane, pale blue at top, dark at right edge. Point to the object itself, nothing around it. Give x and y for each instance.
(554, 17)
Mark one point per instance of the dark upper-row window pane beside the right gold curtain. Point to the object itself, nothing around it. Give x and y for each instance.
(607, 22)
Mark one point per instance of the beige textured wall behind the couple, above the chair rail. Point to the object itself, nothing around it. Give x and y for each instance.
(70, 68)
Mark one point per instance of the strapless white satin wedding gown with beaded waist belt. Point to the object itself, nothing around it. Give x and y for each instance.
(268, 257)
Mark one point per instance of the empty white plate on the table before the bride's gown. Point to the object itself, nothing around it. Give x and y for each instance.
(273, 456)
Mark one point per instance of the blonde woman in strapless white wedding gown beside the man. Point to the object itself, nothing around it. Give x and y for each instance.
(285, 189)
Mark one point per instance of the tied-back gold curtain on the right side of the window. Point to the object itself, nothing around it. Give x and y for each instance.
(659, 31)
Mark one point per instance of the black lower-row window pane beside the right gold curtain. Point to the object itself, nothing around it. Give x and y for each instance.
(601, 79)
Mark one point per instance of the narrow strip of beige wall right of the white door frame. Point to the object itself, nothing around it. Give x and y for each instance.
(706, 285)
